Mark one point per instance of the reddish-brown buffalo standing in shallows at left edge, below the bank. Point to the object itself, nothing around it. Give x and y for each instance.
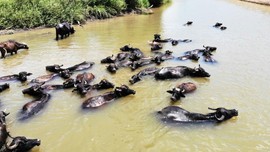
(11, 47)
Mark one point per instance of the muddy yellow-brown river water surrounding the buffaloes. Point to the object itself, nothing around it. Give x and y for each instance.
(240, 80)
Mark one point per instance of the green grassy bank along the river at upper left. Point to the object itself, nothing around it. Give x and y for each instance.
(21, 14)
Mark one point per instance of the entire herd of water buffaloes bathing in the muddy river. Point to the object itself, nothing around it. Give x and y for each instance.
(129, 57)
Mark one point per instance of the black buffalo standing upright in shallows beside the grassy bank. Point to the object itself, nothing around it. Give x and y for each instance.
(64, 30)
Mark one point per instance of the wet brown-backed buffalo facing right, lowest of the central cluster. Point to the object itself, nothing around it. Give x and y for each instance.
(97, 101)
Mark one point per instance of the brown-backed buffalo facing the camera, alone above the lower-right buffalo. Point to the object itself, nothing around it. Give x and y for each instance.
(181, 89)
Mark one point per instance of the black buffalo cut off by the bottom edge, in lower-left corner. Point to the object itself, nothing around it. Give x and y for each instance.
(22, 144)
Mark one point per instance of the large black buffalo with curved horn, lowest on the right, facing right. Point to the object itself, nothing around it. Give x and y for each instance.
(175, 114)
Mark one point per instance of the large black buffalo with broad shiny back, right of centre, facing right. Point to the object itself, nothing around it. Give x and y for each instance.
(179, 72)
